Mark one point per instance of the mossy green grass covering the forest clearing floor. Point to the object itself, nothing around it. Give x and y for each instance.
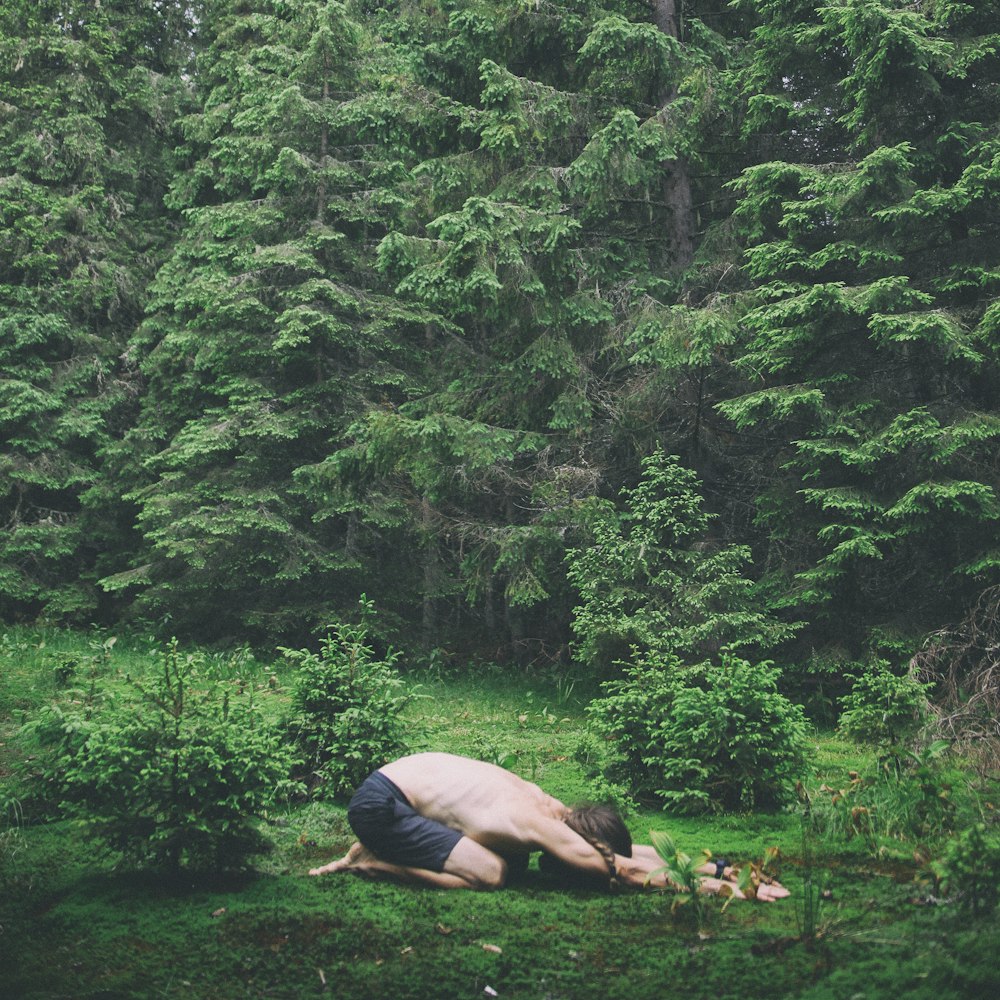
(73, 924)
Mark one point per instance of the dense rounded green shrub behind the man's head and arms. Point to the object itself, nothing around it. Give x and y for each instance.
(711, 737)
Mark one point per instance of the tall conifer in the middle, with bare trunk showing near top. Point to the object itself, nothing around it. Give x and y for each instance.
(534, 239)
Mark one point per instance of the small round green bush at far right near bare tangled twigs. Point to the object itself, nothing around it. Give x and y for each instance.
(883, 707)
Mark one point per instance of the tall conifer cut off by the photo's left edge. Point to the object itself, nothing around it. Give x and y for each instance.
(87, 93)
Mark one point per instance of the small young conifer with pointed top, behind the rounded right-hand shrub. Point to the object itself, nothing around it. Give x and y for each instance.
(651, 586)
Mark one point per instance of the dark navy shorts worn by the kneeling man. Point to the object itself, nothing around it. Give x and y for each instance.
(384, 821)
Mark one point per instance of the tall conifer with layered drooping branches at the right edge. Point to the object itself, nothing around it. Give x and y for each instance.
(871, 331)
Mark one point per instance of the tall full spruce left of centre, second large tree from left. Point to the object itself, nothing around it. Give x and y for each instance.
(267, 331)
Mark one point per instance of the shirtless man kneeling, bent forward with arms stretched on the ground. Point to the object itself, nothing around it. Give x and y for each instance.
(456, 823)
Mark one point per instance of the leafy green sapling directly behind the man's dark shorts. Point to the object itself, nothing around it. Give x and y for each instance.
(347, 706)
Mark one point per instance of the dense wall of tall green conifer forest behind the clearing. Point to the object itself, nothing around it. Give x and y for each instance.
(303, 300)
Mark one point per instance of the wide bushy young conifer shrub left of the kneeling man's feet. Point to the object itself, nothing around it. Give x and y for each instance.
(176, 776)
